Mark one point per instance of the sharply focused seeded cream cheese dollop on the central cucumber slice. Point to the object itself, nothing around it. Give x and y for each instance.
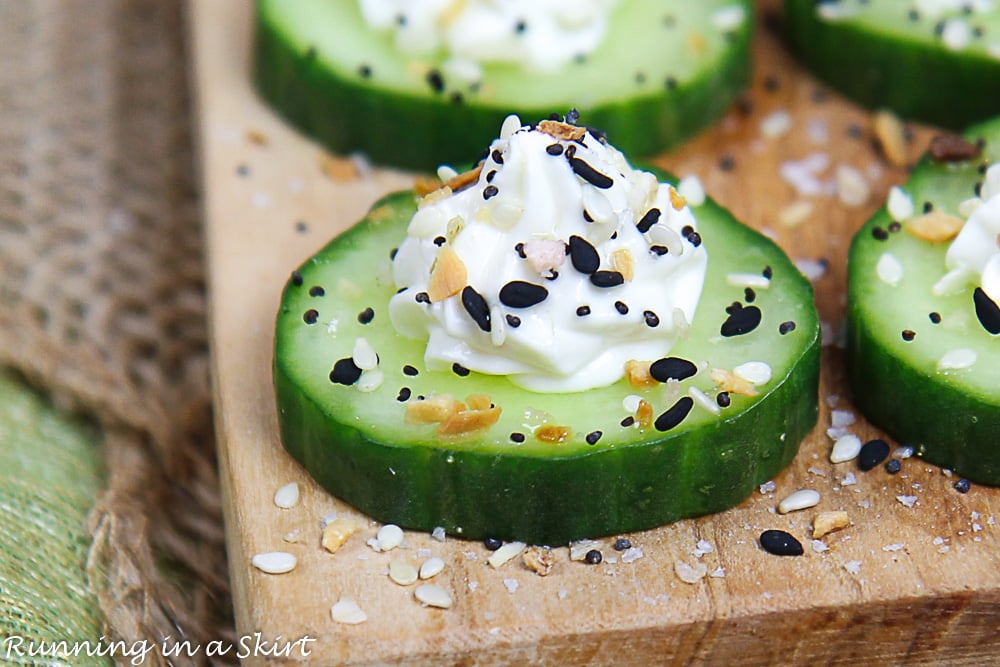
(554, 264)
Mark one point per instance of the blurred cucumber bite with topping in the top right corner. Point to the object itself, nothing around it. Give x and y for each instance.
(935, 64)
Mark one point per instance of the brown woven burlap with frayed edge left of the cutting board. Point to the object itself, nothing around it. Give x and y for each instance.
(102, 295)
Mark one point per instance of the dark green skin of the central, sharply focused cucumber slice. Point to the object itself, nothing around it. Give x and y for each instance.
(552, 500)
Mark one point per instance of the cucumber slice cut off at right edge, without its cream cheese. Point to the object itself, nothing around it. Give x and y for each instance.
(898, 334)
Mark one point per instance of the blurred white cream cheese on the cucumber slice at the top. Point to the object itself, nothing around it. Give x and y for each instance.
(541, 35)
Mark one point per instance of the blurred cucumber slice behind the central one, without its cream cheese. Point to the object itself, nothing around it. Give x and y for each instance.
(319, 65)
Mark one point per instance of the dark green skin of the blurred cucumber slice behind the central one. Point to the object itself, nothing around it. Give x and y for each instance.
(423, 132)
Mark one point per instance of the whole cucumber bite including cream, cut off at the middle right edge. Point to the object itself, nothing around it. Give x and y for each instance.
(923, 355)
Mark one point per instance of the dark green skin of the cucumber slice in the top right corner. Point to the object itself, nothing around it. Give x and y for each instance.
(921, 82)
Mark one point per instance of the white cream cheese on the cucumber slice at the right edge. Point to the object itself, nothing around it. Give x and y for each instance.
(974, 255)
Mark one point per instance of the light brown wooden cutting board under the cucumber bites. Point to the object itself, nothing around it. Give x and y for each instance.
(909, 584)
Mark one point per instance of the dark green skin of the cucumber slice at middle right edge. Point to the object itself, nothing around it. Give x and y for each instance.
(945, 427)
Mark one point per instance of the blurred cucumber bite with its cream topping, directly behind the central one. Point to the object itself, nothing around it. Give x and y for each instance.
(418, 83)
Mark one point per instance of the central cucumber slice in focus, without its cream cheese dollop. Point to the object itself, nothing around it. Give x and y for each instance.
(591, 475)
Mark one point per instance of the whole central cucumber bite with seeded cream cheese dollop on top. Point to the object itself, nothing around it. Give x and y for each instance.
(549, 347)
